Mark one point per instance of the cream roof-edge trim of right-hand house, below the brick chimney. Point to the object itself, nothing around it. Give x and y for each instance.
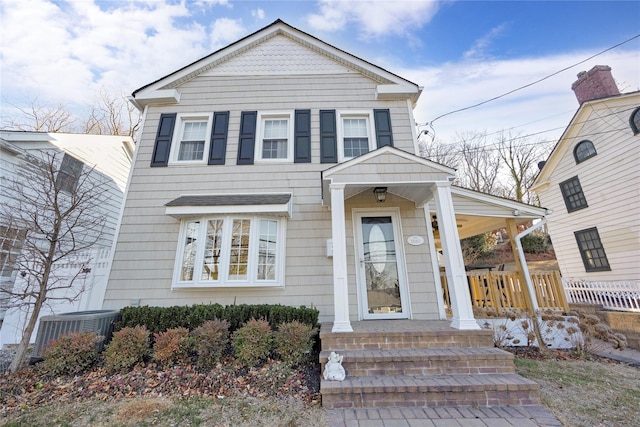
(567, 138)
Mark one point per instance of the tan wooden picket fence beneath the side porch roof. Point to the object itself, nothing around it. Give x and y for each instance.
(504, 289)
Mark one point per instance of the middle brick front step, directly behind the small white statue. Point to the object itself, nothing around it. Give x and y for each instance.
(425, 361)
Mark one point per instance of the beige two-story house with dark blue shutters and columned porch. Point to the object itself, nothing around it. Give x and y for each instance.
(256, 179)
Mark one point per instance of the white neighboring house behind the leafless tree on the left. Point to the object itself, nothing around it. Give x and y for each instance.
(108, 155)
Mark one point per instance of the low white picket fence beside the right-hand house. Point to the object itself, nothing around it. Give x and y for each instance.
(621, 296)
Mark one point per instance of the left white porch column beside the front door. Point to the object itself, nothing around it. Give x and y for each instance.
(341, 321)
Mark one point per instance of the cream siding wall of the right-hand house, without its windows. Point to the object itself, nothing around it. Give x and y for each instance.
(611, 184)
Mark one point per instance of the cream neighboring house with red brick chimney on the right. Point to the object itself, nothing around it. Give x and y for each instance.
(591, 181)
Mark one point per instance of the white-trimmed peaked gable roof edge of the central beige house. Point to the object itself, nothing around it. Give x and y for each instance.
(163, 90)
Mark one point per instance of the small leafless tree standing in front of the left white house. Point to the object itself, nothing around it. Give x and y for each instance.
(57, 201)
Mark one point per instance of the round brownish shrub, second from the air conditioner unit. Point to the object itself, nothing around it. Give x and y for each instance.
(128, 347)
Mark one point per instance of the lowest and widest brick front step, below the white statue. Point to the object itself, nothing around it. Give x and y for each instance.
(430, 391)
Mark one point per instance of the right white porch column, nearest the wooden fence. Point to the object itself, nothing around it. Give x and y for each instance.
(454, 263)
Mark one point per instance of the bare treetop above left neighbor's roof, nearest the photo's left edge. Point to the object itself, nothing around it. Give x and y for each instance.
(42, 118)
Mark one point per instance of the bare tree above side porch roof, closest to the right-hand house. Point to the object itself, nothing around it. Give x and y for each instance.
(520, 158)
